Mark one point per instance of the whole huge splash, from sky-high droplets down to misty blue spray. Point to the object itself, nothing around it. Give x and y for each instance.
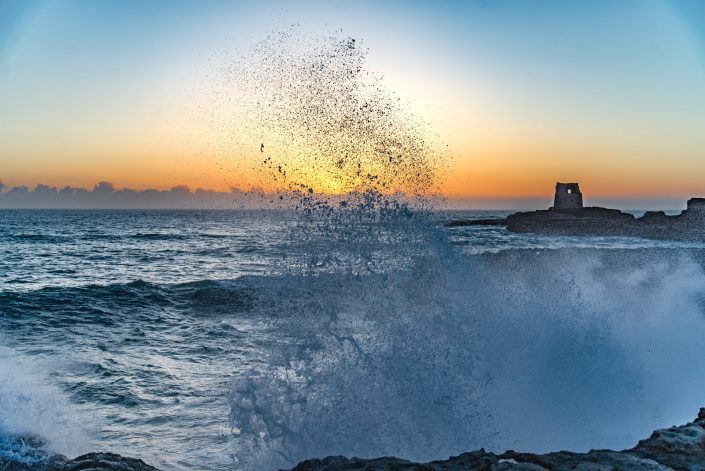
(390, 341)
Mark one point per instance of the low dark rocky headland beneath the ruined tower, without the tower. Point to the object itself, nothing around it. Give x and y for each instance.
(595, 221)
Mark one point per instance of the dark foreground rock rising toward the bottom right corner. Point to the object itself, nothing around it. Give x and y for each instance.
(676, 448)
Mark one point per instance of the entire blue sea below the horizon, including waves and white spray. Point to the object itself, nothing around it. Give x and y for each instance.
(220, 340)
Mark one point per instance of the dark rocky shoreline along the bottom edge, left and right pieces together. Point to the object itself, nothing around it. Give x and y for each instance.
(677, 448)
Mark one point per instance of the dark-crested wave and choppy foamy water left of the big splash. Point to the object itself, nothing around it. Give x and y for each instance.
(144, 359)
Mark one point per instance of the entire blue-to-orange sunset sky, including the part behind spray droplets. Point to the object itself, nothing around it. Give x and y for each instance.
(523, 95)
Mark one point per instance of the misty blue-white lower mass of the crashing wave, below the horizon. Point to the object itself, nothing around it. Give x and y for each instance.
(451, 352)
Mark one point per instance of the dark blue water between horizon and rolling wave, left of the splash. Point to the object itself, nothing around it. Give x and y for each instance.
(76, 248)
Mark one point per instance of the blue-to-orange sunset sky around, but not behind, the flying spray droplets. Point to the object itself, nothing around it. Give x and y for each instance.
(524, 93)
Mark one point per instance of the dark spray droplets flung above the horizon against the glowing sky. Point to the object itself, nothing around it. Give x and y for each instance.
(318, 121)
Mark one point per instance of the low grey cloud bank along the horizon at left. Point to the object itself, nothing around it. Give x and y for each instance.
(104, 195)
